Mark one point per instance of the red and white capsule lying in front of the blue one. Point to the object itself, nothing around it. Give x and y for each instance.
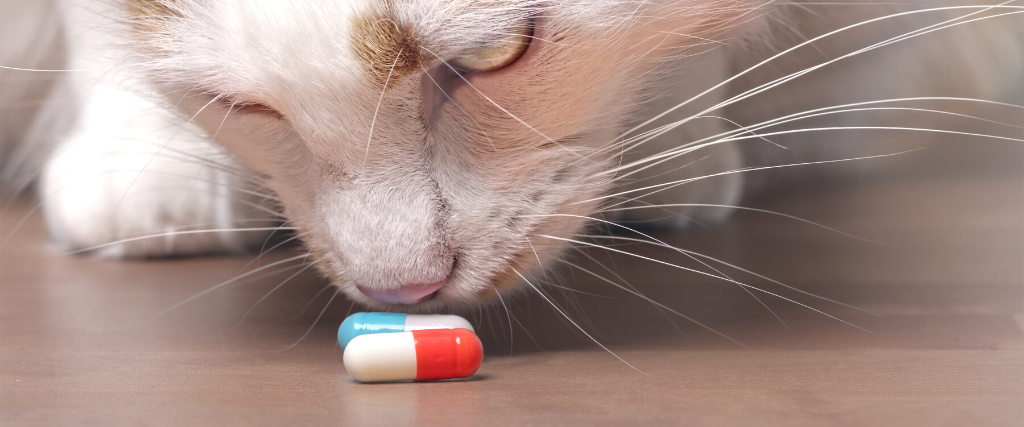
(420, 356)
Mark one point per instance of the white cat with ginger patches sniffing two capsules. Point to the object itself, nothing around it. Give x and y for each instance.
(437, 154)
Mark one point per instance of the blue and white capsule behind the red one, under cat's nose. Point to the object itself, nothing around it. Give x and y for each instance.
(364, 323)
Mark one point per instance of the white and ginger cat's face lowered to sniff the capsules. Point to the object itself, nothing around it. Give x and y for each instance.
(419, 175)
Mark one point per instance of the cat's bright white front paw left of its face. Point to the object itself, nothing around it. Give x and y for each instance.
(136, 181)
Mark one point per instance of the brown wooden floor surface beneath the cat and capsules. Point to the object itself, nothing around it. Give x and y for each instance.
(91, 343)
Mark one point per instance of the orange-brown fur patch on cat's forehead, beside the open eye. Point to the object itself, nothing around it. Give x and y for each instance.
(388, 48)
